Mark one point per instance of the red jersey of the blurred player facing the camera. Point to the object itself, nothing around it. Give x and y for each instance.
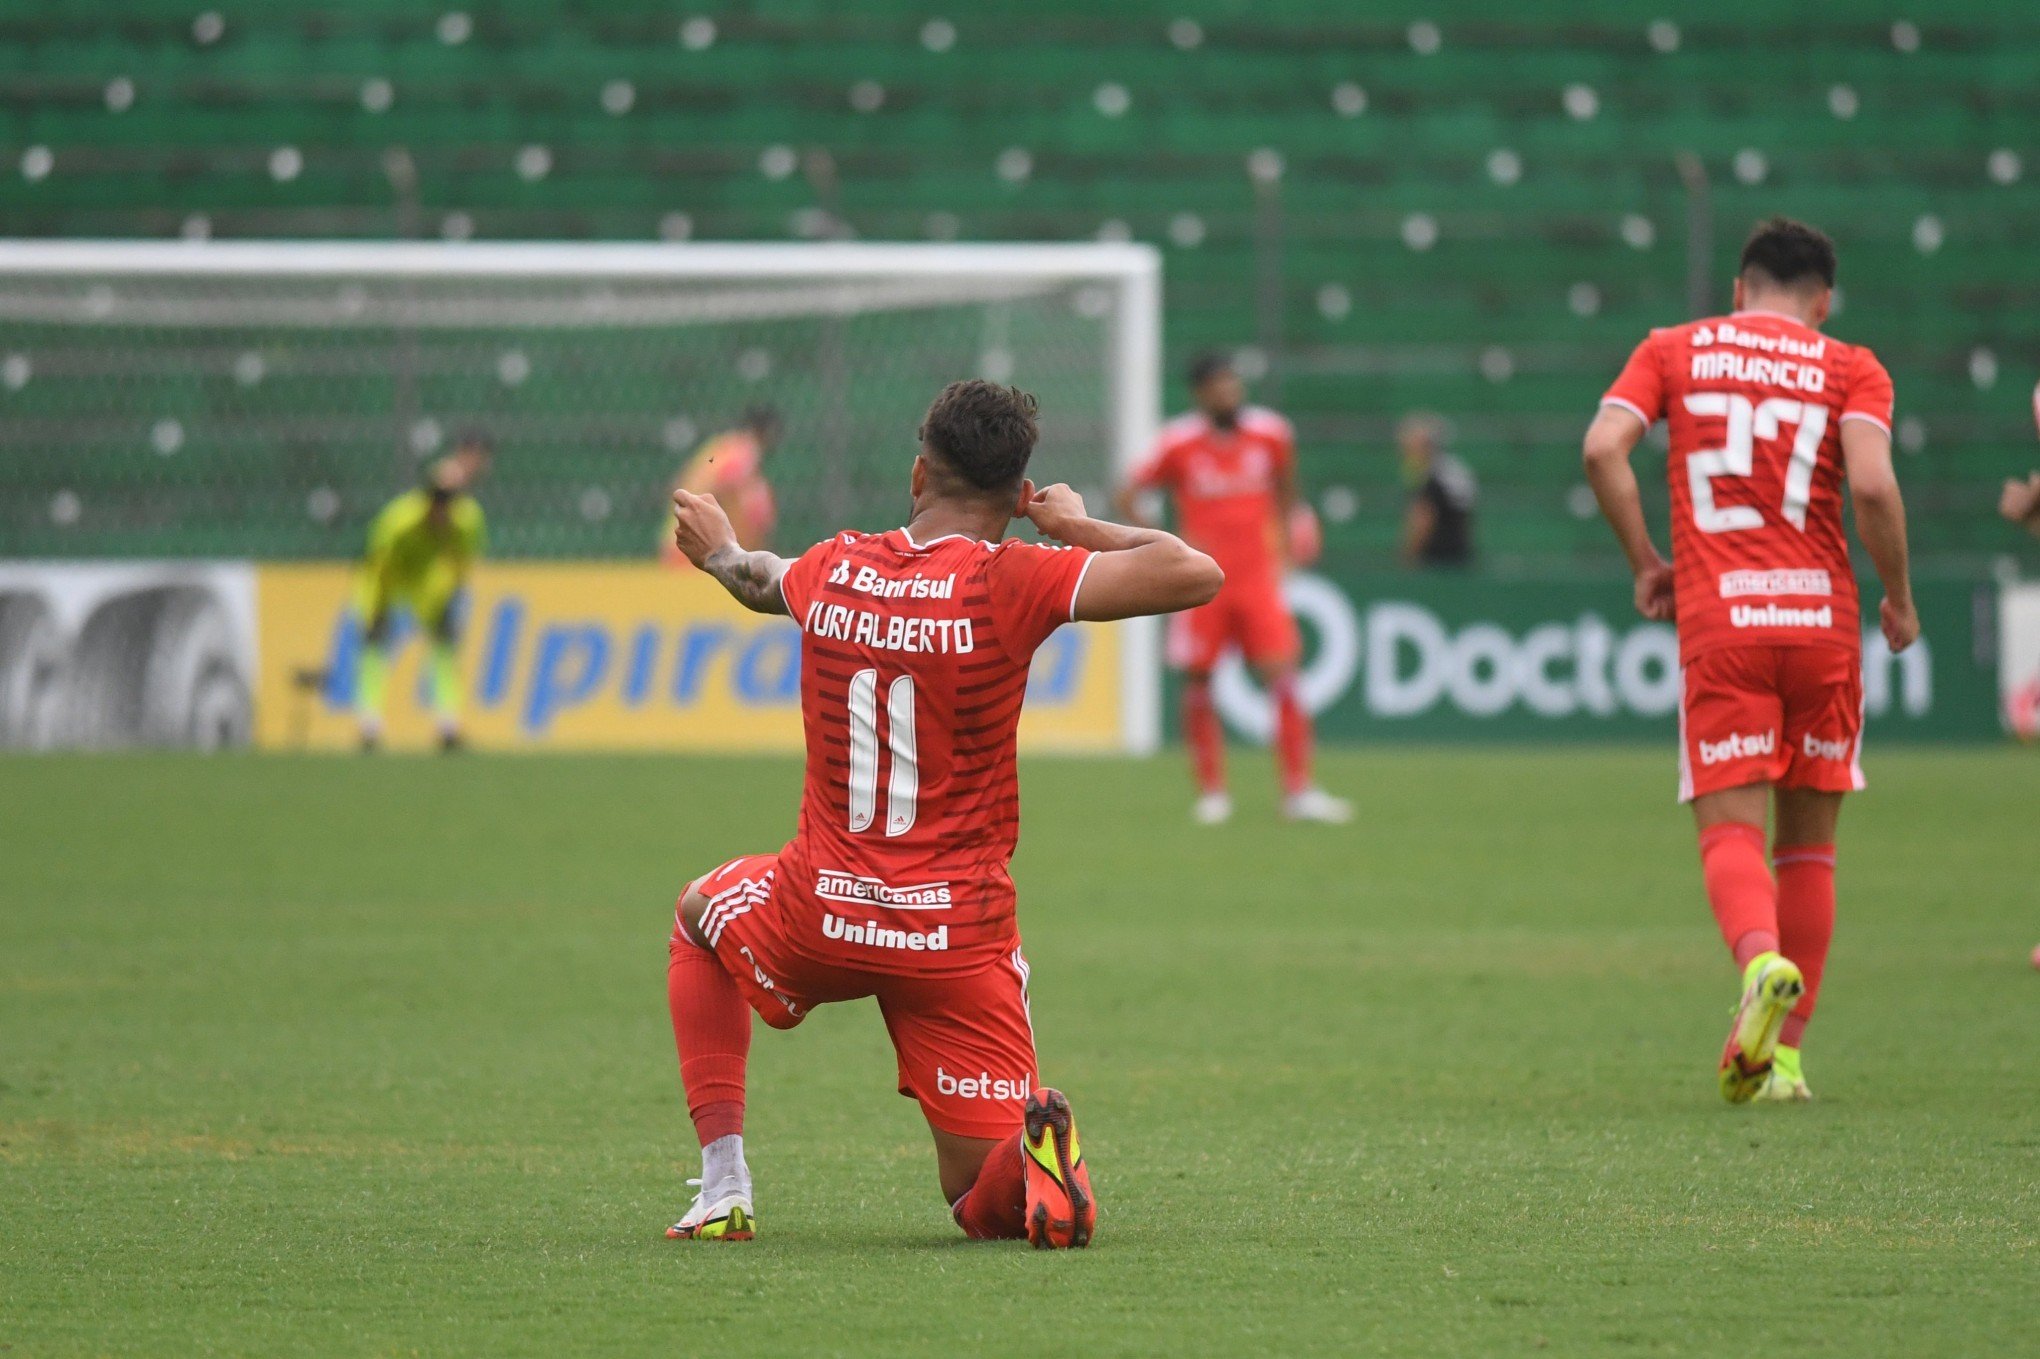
(1227, 487)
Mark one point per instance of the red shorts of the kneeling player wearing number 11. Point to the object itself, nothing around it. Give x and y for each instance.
(966, 1046)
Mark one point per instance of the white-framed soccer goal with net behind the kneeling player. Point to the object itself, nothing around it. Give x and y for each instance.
(178, 405)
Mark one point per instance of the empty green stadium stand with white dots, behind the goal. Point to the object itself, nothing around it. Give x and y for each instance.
(1476, 213)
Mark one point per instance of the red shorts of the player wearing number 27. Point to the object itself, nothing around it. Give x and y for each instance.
(1790, 717)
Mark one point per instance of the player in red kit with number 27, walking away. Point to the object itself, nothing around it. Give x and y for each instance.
(1768, 421)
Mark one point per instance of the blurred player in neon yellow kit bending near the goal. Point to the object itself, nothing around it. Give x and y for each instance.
(421, 552)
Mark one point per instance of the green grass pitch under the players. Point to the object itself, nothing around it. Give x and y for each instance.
(370, 1058)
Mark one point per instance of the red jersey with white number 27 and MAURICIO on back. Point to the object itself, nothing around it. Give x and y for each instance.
(1755, 407)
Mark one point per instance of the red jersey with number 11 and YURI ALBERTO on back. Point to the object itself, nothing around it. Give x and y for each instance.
(913, 670)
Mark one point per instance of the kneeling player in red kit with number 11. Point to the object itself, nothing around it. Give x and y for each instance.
(913, 670)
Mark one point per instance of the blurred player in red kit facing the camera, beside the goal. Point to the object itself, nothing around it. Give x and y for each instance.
(1231, 472)
